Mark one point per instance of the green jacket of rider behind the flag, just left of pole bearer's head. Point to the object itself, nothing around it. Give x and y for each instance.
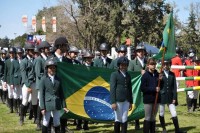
(135, 65)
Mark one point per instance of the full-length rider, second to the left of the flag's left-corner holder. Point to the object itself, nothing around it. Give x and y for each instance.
(28, 80)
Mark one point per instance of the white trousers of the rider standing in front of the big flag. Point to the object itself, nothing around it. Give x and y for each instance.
(121, 113)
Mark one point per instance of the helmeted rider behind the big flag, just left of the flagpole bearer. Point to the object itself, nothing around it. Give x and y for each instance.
(138, 64)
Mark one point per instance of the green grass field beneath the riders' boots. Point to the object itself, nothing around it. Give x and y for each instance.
(190, 122)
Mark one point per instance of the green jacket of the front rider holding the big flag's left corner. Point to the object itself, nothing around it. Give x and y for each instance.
(51, 95)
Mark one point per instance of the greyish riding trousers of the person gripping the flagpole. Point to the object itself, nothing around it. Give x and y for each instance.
(148, 109)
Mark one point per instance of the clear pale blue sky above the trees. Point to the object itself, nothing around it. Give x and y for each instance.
(11, 12)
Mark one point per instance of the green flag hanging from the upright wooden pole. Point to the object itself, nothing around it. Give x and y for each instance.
(168, 40)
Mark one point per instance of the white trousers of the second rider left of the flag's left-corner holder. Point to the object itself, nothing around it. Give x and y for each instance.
(26, 96)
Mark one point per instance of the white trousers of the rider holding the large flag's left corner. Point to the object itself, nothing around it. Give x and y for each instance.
(56, 118)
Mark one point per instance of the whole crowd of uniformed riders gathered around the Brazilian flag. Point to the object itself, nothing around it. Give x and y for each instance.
(29, 84)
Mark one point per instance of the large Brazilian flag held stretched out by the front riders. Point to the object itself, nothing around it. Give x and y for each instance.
(87, 93)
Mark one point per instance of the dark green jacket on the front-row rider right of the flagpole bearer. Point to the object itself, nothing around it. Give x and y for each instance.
(168, 89)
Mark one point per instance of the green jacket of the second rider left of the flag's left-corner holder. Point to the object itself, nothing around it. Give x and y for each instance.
(27, 72)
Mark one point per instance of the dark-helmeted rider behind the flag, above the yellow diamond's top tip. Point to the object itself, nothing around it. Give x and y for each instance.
(103, 60)
